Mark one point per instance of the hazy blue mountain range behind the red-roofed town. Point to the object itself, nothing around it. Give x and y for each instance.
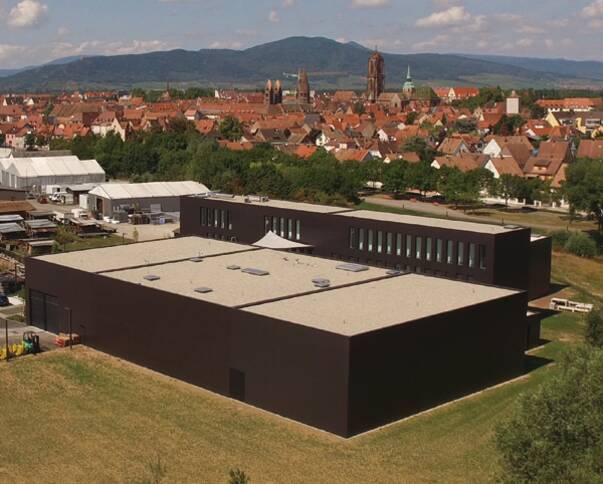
(331, 65)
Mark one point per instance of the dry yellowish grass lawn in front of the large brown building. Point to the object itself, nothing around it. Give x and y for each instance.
(81, 416)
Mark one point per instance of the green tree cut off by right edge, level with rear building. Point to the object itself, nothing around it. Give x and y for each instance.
(583, 188)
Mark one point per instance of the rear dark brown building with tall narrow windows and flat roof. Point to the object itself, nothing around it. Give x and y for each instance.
(507, 256)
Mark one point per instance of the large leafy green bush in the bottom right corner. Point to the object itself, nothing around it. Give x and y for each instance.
(556, 432)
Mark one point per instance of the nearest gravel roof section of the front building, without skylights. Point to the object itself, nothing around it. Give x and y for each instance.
(380, 304)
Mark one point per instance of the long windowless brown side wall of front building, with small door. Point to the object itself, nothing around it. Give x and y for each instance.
(291, 370)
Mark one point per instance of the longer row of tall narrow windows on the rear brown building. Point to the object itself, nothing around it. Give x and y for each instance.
(397, 244)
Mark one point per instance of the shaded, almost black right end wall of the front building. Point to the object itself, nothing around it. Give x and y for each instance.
(399, 371)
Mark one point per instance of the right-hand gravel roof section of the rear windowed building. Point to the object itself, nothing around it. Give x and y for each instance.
(429, 222)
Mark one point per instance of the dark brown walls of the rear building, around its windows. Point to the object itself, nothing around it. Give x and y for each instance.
(507, 254)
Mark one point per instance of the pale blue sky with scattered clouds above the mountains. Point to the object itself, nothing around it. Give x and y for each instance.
(36, 31)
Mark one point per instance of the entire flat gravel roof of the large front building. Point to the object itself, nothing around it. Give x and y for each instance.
(301, 289)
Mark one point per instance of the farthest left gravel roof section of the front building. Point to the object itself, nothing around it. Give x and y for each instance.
(144, 253)
